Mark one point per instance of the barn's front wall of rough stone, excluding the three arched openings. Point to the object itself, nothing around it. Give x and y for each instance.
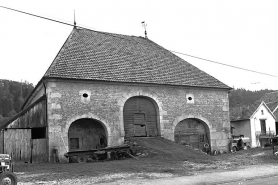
(69, 101)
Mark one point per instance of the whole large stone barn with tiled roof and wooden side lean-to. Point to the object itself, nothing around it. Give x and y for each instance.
(102, 88)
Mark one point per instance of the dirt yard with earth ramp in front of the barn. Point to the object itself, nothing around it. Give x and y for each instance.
(157, 159)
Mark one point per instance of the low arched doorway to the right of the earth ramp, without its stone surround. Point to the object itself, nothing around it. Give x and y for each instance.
(193, 132)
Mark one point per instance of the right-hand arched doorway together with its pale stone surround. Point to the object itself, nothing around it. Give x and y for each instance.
(193, 130)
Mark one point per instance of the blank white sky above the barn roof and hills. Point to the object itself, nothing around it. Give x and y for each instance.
(242, 33)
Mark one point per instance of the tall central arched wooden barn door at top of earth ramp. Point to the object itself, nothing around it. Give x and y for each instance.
(140, 117)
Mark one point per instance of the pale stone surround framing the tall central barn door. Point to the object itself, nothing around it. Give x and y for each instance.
(153, 97)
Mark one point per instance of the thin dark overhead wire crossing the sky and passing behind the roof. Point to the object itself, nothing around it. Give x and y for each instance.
(61, 22)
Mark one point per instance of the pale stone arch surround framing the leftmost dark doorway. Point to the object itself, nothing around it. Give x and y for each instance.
(95, 118)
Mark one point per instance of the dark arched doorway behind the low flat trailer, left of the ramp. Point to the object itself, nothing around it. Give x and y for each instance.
(86, 134)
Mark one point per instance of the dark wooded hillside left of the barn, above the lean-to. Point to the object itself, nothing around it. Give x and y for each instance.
(12, 96)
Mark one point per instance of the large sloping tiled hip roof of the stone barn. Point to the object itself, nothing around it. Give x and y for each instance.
(92, 55)
